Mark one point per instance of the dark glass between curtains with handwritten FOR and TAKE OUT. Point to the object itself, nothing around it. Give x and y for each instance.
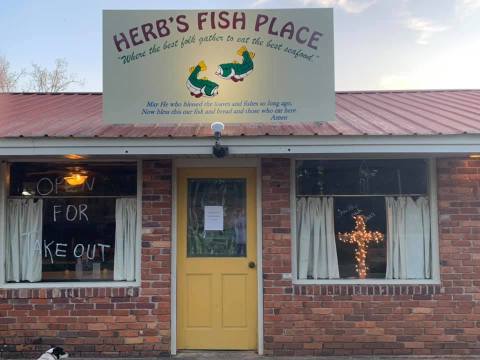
(78, 239)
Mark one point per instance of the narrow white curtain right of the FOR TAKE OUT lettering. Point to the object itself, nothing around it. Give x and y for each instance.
(125, 239)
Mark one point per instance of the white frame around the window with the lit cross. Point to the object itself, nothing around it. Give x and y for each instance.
(432, 196)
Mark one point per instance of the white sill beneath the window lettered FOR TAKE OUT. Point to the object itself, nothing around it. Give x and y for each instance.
(71, 285)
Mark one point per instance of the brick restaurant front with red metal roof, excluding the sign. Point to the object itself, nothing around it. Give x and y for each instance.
(359, 236)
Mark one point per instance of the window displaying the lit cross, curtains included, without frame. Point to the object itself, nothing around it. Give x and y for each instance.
(363, 219)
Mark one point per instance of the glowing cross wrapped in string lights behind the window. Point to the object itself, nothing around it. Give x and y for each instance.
(361, 237)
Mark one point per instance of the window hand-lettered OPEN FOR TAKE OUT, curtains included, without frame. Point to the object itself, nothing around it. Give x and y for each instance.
(71, 223)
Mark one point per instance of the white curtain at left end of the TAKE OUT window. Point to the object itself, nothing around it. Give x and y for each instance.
(23, 259)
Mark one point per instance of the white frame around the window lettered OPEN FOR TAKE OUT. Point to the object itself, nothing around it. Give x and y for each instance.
(4, 195)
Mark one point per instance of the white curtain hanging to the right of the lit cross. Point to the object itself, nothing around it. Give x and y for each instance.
(408, 238)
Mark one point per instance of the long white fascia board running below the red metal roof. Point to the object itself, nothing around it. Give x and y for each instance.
(259, 145)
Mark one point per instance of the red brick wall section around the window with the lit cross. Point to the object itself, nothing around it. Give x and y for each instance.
(355, 320)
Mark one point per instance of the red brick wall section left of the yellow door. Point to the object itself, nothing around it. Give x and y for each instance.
(102, 321)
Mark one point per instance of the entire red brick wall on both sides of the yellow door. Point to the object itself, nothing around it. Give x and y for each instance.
(299, 320)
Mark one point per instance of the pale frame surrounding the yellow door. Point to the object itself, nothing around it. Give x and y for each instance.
(220, 163)
